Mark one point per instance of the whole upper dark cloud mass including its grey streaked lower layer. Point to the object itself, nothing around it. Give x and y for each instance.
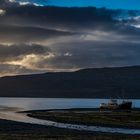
(29, 23)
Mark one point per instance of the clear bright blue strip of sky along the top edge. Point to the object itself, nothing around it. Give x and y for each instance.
(115, 4)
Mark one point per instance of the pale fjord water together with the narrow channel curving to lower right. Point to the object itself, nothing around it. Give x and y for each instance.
(10, 106)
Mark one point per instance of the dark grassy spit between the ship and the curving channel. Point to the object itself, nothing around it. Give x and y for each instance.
(118, 119)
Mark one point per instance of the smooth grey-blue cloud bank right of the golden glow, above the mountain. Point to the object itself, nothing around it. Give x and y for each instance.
(95, 54)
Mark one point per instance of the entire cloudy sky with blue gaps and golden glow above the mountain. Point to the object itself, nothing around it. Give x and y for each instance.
(37, 37)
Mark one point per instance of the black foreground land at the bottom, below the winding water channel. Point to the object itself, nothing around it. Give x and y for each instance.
(10, 130)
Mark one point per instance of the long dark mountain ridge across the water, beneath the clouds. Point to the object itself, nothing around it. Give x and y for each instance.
(86, 83)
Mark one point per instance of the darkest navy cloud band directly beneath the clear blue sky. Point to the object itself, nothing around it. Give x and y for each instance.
(67, 18)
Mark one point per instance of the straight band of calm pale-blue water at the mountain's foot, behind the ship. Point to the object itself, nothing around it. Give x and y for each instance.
(54, 103)
